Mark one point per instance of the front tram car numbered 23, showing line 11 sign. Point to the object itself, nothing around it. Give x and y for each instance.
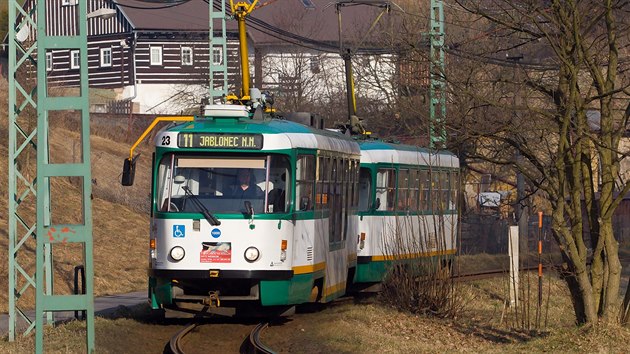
(289, 238)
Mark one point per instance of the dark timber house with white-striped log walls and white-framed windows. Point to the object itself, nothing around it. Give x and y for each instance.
(147, 53)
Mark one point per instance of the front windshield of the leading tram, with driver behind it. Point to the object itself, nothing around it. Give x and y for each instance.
(223, 184)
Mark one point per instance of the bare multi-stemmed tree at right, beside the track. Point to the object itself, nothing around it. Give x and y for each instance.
(556, 112)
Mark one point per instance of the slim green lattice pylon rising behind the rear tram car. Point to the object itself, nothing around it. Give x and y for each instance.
(437, 84)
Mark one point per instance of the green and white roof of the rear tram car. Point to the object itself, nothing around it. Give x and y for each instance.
(378, 151)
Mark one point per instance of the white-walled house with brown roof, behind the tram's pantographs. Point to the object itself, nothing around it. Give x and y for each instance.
(305, 59)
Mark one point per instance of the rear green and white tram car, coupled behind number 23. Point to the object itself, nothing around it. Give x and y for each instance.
(407, 207)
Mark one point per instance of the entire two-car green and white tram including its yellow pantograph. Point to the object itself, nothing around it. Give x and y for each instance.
(253, 211)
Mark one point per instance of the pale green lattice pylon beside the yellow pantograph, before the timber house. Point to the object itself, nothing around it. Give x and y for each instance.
(218, 79)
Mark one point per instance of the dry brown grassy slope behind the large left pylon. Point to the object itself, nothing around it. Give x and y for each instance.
(120, 214)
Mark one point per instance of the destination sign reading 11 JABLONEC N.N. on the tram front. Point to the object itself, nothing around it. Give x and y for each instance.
(220, 141)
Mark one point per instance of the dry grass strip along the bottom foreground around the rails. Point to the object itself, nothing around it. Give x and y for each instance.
(362, 327)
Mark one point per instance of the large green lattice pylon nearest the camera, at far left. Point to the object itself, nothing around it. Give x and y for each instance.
(32, 232)
